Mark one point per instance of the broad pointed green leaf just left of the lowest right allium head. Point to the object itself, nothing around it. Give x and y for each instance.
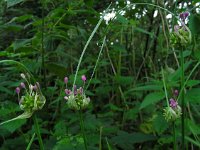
(152, 98)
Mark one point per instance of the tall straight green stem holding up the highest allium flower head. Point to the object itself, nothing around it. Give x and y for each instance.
(182, 101)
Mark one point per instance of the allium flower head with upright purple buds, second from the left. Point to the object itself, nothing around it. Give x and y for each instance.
(76, 99)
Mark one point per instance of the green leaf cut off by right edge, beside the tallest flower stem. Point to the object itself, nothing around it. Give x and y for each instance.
(193, 95)
